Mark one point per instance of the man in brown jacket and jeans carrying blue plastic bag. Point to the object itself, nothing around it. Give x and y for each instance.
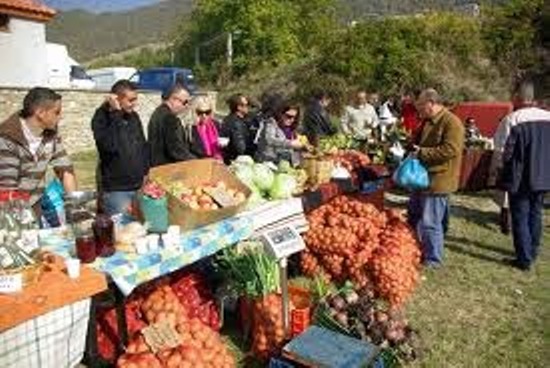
(439, 148)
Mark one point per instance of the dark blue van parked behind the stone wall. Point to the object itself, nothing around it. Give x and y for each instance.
(161, 79)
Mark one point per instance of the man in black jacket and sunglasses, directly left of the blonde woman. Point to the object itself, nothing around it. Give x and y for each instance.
(165, 131)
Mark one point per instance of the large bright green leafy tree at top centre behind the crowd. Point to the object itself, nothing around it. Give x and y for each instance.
(268, 32)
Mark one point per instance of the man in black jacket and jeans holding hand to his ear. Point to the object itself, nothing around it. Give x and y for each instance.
(123, 150)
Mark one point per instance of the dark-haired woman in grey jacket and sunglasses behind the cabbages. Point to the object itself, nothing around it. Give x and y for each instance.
(279, 138)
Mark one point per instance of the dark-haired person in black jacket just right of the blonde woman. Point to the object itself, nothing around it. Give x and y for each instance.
(236, 128)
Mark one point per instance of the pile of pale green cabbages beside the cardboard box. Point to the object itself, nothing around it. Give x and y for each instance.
(269, 181)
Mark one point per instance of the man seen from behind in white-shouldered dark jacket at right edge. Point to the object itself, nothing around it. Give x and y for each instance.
(522, 154)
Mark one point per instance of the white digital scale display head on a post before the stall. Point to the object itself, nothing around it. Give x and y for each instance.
(283, 242)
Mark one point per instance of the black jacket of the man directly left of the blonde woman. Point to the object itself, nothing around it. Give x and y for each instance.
(167, 138)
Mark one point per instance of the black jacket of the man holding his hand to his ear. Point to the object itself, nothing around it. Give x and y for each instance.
(123, 150)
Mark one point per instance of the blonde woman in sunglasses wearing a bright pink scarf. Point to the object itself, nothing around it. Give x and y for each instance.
(205, 138)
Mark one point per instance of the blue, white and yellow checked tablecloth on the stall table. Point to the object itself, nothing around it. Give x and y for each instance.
(129, 270)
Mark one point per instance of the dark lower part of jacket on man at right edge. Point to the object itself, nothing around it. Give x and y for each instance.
(526, 158)
